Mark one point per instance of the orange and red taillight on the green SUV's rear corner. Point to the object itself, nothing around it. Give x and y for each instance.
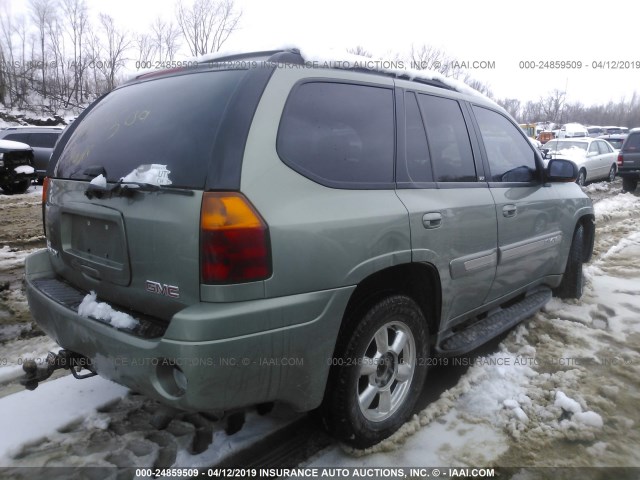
(234, 240)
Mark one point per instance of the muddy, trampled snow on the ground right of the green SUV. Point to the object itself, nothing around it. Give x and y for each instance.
(563, 388)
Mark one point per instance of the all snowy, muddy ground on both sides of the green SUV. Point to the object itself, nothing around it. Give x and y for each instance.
(562, 389)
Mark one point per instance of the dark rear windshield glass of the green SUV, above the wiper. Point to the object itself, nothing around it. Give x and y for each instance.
(166, 125)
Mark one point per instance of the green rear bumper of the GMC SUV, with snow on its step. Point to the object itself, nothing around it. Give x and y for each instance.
(224, 366)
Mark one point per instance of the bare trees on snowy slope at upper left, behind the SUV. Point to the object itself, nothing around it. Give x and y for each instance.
(56, 56)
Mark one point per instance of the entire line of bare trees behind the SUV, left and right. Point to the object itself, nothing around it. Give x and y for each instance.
(56, 56)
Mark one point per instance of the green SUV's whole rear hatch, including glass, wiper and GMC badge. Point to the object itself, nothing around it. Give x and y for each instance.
(122, 215)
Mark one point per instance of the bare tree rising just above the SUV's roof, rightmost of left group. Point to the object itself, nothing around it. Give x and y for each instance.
(207, 24)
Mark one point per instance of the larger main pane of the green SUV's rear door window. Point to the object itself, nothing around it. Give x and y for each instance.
(449, 143)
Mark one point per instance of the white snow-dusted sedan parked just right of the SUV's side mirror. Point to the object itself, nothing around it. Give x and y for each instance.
(596, 159)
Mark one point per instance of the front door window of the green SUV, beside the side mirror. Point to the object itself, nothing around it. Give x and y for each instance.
(510, 155)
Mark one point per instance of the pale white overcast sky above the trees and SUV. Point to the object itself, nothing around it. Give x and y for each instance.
(502, 33)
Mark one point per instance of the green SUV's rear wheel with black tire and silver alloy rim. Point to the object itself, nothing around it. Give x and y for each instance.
(378, 373)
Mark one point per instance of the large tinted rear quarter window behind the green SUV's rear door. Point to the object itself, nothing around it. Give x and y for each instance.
(339, 134)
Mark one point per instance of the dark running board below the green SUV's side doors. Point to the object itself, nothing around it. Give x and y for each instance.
(484, 330)
